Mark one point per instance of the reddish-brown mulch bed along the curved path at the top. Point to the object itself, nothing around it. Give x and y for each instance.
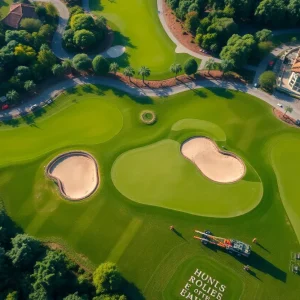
(177, 28)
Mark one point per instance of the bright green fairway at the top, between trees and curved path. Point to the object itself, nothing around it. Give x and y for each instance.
(137, 26)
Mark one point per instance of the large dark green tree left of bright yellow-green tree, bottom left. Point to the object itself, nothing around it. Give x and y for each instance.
(50, 272)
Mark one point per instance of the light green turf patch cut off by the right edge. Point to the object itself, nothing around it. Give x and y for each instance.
(286, 163)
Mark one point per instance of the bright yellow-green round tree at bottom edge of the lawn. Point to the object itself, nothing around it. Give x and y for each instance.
(107, 278)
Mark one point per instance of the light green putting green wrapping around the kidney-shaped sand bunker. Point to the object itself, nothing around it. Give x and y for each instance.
(159, 175)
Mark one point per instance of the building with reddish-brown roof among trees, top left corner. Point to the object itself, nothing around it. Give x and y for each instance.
(17, 12)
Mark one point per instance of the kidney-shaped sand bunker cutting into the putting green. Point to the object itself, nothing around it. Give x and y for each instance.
(215, 164)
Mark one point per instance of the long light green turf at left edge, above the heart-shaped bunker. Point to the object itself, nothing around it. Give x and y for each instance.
(92, 121)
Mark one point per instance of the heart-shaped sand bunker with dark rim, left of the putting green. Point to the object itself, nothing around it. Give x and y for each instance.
(76, 174)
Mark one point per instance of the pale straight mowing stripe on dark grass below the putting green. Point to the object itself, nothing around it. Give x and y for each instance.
(124, 240)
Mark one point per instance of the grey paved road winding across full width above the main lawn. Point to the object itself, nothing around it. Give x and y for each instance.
(163, 92)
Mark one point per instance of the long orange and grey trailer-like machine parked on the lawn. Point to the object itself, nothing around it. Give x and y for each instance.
(230, 245)
